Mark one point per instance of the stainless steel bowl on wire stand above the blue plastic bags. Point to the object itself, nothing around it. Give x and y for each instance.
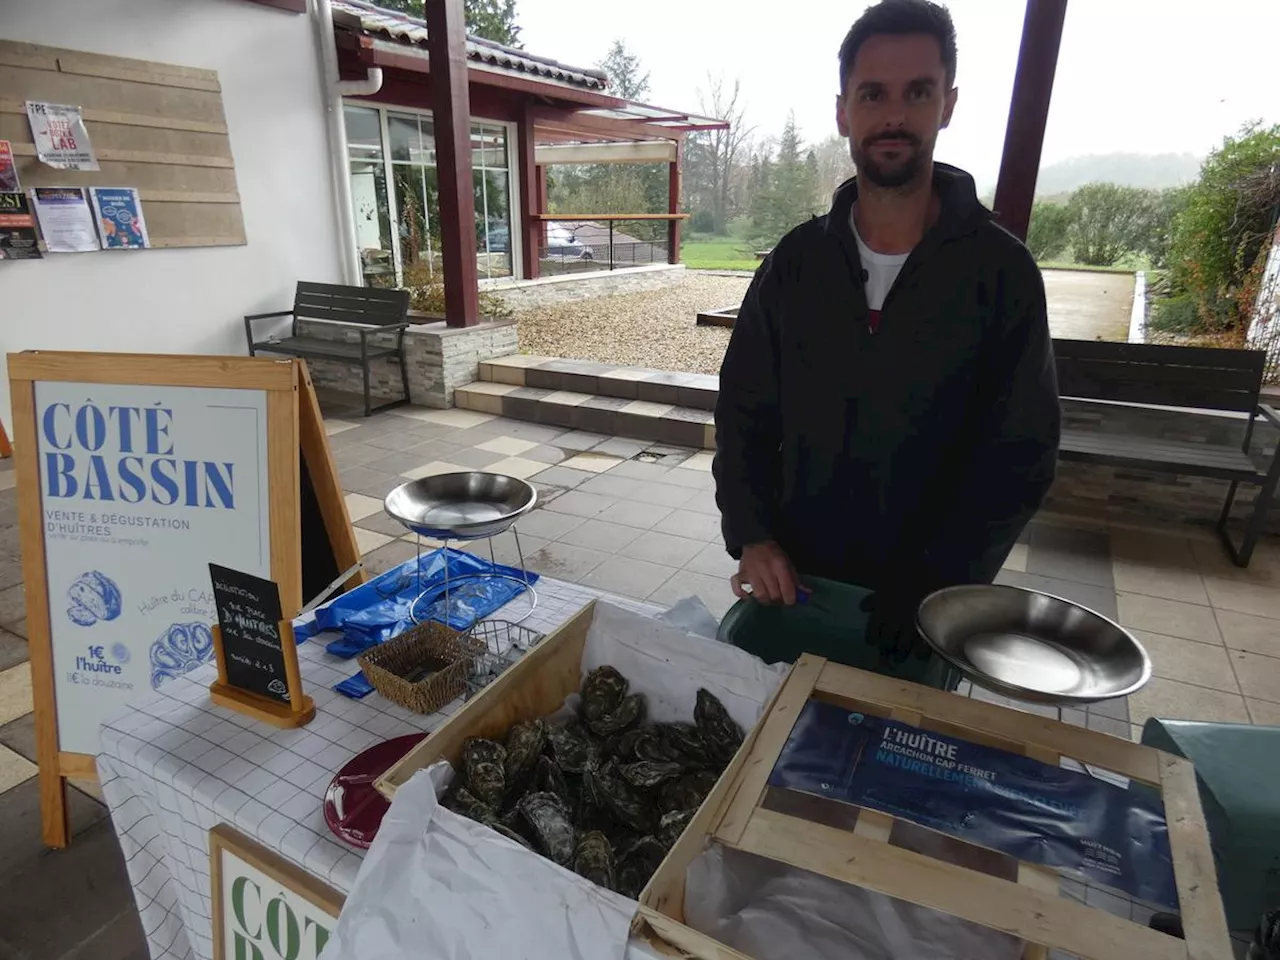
(460, 506)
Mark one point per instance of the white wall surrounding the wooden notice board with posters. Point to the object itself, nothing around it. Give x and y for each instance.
(190, 301)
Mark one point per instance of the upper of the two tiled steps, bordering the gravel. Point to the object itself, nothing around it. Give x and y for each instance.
(694, 391)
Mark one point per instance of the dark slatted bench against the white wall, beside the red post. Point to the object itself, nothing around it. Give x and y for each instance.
(367, 309)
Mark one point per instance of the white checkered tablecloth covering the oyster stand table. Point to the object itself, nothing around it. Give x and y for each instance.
(176, 766)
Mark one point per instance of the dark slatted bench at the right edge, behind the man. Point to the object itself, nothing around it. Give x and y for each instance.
(1185, 378)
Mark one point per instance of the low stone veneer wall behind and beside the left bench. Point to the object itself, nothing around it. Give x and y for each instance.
(441, 359)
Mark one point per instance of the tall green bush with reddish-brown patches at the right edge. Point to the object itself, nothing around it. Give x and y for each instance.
(1224, 230)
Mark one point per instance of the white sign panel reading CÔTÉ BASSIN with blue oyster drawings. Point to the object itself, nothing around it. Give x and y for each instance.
(141, 488)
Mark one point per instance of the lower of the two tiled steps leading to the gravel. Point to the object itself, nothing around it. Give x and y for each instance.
(611, 417)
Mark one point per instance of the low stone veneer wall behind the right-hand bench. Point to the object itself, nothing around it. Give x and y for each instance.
(1139, 496)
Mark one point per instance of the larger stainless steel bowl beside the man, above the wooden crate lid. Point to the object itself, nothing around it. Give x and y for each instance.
(1032, 646)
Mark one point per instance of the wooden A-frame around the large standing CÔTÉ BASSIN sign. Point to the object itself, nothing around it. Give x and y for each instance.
(287, 442)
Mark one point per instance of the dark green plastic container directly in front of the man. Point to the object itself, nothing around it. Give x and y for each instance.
(830, 625)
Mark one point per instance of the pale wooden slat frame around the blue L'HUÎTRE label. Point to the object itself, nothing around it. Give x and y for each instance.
(1027, 906)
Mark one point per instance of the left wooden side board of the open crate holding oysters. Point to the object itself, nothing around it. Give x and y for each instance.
(533, 688)
